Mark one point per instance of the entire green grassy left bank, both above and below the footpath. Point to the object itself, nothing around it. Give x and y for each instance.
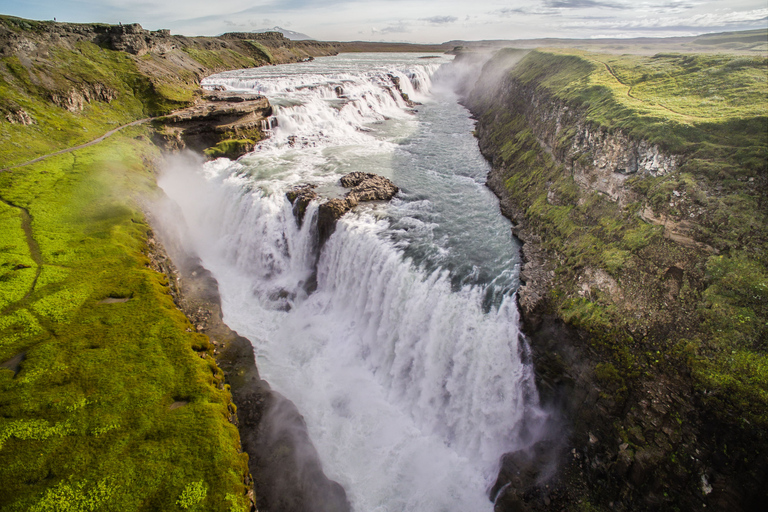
(109, 399)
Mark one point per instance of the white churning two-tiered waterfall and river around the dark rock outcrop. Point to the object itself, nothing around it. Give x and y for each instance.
(406, 359)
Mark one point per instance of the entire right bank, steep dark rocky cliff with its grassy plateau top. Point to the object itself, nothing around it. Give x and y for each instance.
(638, 187)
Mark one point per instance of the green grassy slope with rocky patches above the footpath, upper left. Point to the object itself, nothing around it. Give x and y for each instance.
(30, 88)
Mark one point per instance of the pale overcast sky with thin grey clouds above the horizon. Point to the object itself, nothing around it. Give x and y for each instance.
(424, 21)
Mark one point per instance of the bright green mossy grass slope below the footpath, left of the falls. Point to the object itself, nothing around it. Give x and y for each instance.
(86, 424)
